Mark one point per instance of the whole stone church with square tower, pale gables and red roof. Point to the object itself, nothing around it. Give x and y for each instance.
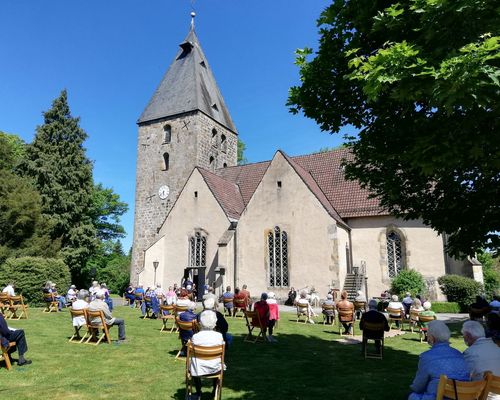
(289, 221)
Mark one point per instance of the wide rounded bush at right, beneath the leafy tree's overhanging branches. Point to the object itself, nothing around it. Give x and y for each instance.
(460, 289)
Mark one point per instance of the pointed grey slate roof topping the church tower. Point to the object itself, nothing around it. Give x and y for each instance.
(188, 85)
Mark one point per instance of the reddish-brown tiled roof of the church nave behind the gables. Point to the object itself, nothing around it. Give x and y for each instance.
(324, 176)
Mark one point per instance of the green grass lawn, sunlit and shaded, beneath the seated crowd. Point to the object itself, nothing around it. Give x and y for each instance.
(307, 363)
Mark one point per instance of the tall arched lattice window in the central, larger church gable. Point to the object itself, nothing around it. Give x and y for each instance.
(277, 258)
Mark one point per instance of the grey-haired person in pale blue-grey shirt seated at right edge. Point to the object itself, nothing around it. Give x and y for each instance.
(483, 354)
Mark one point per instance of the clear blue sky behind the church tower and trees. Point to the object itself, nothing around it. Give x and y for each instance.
(110, 55)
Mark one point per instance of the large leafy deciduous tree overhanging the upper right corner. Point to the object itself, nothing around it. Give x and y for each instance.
(420, 79)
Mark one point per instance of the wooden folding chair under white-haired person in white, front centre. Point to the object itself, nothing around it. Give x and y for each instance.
(205, 353)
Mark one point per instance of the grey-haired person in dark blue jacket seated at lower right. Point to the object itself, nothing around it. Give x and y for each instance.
(440, 359)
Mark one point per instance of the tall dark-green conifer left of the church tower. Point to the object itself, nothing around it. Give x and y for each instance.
(57, 163)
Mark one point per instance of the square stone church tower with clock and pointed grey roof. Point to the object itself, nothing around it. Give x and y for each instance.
(185, 124)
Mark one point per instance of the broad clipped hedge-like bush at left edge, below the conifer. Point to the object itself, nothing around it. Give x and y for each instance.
(29, 274)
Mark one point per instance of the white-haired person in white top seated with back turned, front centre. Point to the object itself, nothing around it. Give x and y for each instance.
(205, 337)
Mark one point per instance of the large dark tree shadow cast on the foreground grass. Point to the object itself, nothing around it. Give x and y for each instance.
(309, 367)
